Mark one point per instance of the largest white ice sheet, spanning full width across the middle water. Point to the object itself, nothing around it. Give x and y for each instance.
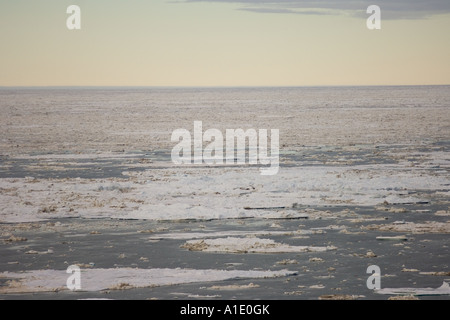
(213, 193)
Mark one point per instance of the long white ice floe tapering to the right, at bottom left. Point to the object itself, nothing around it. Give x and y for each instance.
(124, 278)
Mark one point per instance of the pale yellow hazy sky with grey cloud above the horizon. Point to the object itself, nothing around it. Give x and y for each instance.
(224, 43)
